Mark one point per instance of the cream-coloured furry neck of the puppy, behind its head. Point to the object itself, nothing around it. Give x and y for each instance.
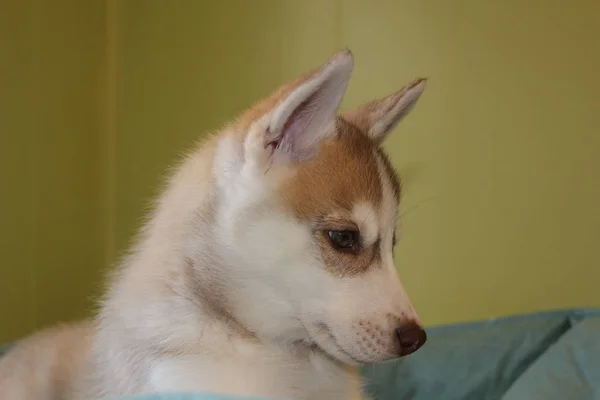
(173, 277)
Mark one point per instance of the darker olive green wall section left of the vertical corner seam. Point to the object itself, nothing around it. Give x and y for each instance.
(51, 118)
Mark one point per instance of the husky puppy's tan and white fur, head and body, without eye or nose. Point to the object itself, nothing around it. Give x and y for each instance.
(241, 228)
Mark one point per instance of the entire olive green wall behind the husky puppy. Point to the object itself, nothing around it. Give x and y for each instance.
(499, 157)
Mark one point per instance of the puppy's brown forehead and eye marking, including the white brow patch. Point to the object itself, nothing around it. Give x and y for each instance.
(348, 177)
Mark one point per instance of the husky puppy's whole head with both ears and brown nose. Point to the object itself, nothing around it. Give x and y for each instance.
(305, 220)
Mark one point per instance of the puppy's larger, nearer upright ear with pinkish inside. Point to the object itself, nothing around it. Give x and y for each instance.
(307, 115)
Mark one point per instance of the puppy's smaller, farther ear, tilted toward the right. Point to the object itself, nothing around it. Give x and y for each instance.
(378, 118)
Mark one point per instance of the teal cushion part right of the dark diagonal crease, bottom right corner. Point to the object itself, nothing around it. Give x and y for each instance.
(570, 369)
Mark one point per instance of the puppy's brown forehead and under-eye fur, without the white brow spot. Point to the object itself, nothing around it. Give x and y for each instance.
(345, 172)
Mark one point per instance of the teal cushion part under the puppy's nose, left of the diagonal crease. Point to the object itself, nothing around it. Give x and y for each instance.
(468, 361)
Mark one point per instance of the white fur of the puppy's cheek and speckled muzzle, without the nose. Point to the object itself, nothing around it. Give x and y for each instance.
(295, 298)
